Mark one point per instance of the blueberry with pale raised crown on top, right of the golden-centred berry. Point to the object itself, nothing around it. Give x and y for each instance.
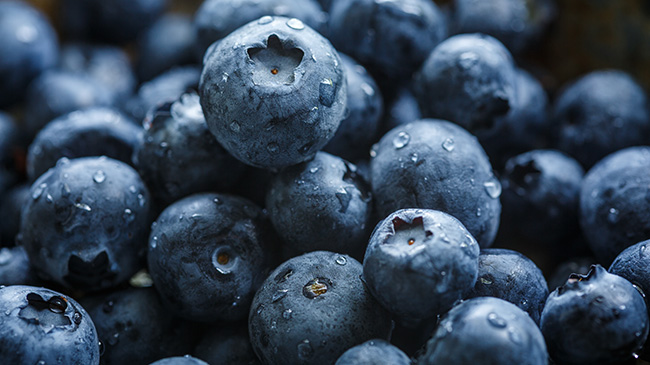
(419, 262)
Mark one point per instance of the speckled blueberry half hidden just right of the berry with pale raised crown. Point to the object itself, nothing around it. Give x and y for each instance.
(511, 276)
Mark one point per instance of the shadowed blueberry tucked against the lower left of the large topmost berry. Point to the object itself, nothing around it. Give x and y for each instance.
(178, 155)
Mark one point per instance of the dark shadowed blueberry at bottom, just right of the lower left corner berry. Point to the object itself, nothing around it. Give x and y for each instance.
(135, 328)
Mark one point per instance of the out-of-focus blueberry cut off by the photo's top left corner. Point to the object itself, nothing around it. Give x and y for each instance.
(28, 45)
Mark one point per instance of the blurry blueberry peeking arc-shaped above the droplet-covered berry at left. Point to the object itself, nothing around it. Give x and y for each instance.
(97, 131)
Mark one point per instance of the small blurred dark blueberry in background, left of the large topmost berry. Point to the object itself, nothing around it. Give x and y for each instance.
(169, 42)
